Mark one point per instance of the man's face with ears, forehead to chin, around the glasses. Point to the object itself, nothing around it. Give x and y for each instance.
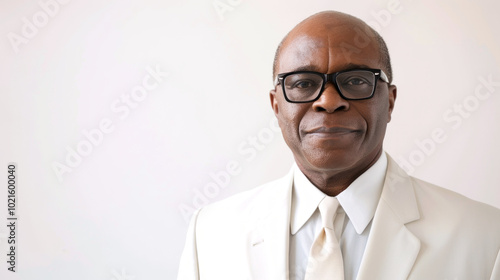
(332, 135)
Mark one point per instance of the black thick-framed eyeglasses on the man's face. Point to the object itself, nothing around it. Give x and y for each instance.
(307, 86)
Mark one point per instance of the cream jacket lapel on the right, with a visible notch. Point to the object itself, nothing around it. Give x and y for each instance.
(392, 249)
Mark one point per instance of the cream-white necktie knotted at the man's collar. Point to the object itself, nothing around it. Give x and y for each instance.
(325, 259)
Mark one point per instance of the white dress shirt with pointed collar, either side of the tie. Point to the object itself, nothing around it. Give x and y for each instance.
(359, 202)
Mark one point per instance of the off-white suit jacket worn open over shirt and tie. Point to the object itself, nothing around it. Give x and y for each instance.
(419, 231)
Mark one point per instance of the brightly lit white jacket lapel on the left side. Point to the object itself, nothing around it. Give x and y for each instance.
(268, 240)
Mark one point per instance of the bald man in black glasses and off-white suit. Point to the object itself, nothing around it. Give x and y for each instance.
(345, 210)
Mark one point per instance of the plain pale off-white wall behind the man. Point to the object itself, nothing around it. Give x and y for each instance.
(121, 212)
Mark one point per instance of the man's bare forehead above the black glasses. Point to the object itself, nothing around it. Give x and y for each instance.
(329, 49)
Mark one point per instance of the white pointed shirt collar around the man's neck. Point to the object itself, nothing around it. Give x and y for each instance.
(359, 200)
